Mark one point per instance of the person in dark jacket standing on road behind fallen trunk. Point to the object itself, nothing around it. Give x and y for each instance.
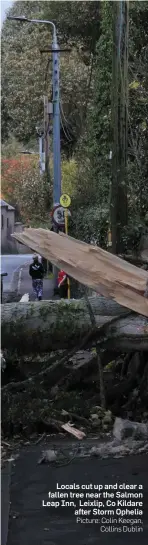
(36, 272)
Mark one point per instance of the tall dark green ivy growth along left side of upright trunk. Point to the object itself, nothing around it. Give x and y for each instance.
(94, 147)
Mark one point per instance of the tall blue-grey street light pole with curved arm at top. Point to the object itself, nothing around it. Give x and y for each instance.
(56, 105)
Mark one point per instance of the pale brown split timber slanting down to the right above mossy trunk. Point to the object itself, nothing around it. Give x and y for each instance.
(105, 273)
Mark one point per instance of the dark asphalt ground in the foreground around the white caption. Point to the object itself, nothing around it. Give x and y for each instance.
(32, 524)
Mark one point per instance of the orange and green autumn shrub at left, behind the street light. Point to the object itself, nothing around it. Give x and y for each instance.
(24, 187)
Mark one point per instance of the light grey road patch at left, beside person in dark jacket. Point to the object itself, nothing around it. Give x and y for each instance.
(10, 263)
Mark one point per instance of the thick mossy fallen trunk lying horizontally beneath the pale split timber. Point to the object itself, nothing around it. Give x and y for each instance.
(49, 325)
